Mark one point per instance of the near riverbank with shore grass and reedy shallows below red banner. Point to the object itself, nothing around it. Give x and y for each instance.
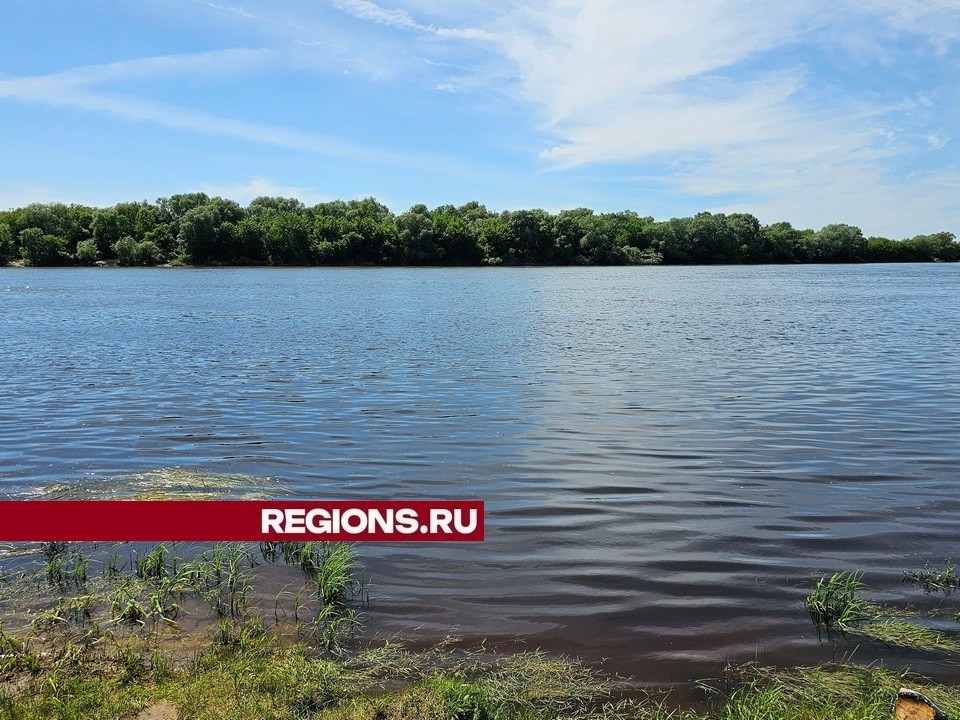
(165, 632)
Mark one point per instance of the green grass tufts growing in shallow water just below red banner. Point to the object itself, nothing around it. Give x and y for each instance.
(74, 587)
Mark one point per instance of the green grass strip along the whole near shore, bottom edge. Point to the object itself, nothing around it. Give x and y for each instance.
(259, 677)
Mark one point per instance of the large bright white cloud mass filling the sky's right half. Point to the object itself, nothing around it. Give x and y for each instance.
(689, 85)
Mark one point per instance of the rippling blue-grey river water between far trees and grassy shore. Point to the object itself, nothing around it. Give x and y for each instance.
(669, 456)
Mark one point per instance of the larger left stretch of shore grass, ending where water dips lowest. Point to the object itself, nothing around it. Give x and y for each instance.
(244, 672)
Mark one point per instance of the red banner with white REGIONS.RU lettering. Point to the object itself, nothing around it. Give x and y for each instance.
(241, 520)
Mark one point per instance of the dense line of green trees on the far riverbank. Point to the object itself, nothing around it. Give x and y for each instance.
(194, 229)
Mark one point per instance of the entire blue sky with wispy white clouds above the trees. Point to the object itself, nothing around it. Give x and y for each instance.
(811, 111)
